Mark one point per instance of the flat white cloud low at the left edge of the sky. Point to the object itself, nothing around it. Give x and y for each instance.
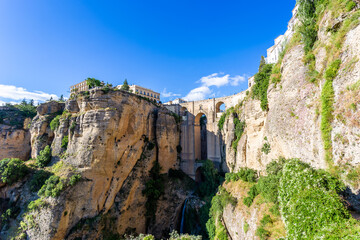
(19, 93)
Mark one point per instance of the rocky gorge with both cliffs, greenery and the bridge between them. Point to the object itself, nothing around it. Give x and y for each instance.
(282, 158)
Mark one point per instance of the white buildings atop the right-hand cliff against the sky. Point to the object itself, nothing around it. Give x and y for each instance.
(274, 52)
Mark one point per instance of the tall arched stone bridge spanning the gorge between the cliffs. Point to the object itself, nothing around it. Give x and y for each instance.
(198, 142)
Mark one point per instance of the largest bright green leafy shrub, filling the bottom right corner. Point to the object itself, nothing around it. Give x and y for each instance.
(311, 206)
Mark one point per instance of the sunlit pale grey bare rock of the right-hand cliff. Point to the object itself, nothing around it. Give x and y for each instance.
(292, 125)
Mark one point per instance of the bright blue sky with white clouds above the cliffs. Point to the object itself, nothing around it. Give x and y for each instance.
(194, 49)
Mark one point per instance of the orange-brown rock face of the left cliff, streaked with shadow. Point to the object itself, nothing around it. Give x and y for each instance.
(113, 141)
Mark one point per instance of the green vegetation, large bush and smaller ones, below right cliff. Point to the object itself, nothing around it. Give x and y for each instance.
(309, 201)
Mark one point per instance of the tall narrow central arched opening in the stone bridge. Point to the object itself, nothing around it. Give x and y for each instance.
(200, 136)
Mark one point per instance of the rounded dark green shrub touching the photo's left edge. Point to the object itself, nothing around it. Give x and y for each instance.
(12, 170)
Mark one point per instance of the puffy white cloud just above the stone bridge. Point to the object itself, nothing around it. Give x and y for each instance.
(215, 79)
